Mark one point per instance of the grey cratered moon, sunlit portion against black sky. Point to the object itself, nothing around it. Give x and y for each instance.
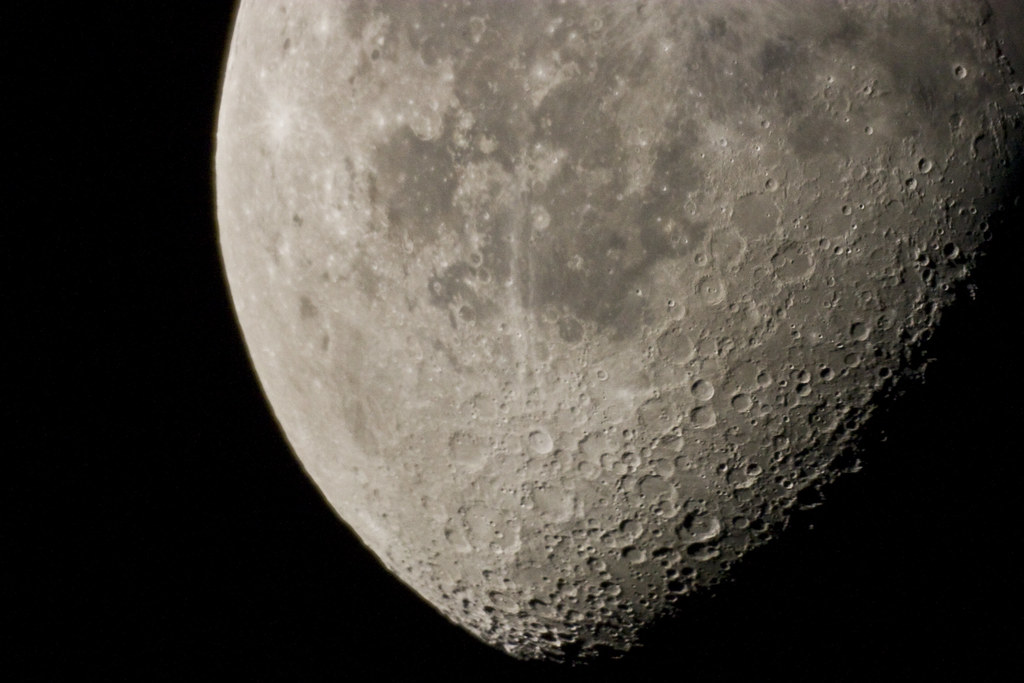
(566, 307)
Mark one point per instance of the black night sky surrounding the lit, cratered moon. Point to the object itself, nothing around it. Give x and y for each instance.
(166, 531)
